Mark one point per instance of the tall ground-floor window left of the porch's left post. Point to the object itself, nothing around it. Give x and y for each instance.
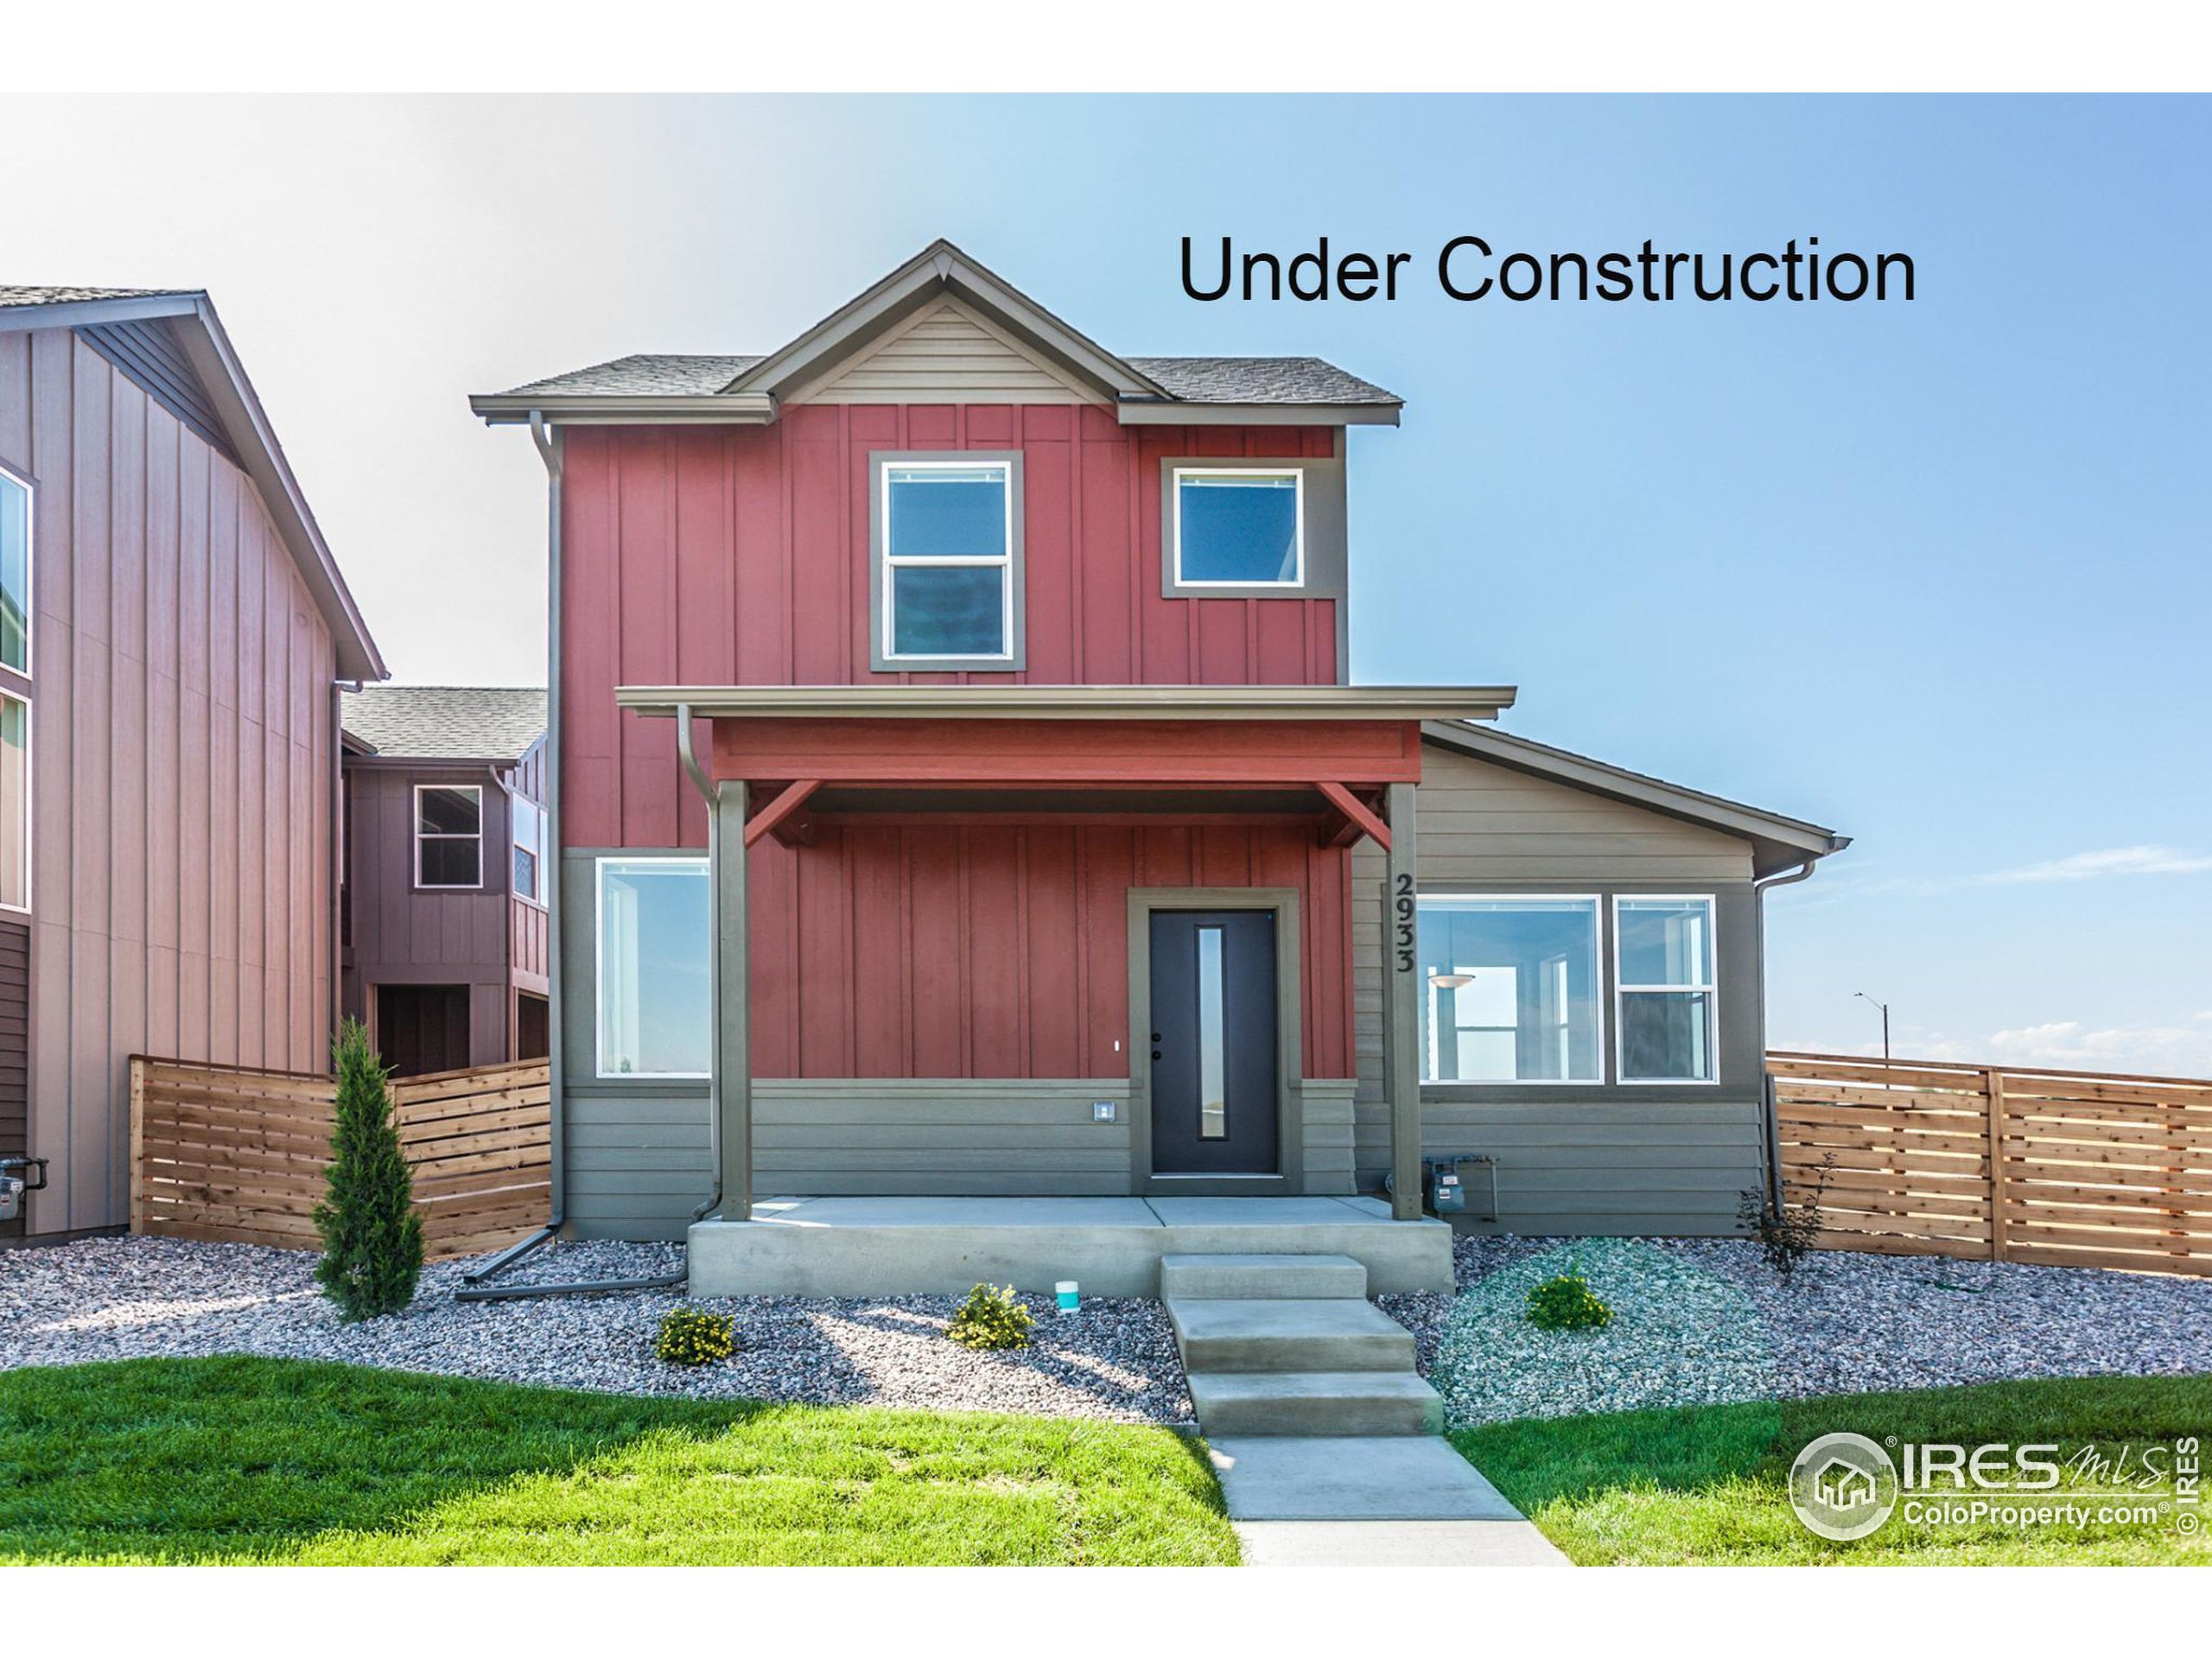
(656, 968)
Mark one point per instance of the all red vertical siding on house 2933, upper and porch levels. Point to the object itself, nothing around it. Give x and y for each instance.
(742, 559)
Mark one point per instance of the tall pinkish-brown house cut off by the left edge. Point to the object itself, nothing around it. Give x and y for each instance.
(171, 640)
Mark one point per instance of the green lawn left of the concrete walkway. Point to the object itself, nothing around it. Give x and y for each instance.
(282, 1461)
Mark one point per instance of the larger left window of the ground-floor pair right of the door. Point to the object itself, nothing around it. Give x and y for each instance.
(1510, 990)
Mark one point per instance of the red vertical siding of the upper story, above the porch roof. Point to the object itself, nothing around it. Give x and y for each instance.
(738, 556)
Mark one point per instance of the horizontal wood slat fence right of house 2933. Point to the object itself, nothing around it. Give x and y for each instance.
(2001, 1162)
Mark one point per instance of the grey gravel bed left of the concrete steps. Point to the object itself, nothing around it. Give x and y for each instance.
(107, 1300)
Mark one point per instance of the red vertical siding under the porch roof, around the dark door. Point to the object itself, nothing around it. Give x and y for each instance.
(1003, 952)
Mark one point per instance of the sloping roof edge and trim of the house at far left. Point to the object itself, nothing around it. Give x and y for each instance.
(231, 408)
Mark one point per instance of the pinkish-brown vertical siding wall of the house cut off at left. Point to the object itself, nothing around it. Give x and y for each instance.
(182, 766)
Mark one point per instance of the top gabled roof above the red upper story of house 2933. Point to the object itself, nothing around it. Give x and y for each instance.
(1145, 390)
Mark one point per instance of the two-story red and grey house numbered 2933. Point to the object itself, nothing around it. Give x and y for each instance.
(961, 791)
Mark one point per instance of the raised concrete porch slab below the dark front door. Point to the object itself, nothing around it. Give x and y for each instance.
(802, 1246)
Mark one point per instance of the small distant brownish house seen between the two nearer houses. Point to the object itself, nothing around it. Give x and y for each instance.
(444, 921)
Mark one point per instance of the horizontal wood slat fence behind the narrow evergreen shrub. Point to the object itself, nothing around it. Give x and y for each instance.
(240, 1156)
